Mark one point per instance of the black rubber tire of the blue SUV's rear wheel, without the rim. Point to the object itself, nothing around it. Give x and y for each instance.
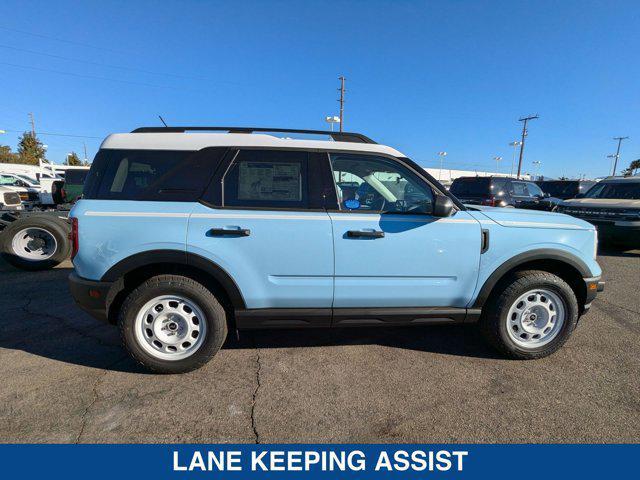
(214, 313)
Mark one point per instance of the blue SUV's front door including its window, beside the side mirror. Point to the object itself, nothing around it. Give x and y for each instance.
(390, 251)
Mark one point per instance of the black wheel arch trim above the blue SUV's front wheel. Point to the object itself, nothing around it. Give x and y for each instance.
(526, 257)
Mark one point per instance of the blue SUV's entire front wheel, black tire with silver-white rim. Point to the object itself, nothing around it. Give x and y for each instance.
(532, 315)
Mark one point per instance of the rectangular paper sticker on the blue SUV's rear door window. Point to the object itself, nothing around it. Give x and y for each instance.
(269, 181)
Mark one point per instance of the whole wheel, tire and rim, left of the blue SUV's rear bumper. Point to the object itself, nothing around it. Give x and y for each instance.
(36, 242)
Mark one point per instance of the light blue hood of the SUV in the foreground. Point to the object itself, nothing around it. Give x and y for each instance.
(519, 218)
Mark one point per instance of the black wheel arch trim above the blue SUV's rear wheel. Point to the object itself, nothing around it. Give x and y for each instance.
(176, 257)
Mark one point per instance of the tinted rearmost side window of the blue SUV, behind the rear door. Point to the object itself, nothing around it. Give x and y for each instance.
(156, 175)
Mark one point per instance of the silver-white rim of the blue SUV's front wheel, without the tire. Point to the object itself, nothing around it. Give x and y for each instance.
(536, 318)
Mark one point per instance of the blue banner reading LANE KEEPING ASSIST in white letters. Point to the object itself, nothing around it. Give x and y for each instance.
(511, 462)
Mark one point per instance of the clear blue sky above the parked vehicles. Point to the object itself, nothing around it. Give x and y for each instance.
(423, 77)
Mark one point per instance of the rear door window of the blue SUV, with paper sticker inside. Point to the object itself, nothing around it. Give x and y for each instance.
(267, 179)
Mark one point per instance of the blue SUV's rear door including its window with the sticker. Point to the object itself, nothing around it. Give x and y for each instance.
(264, 223)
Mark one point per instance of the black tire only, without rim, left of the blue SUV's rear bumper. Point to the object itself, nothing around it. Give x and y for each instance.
(58, 228)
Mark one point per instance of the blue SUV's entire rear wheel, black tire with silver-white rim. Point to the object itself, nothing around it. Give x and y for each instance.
(172, 324)
